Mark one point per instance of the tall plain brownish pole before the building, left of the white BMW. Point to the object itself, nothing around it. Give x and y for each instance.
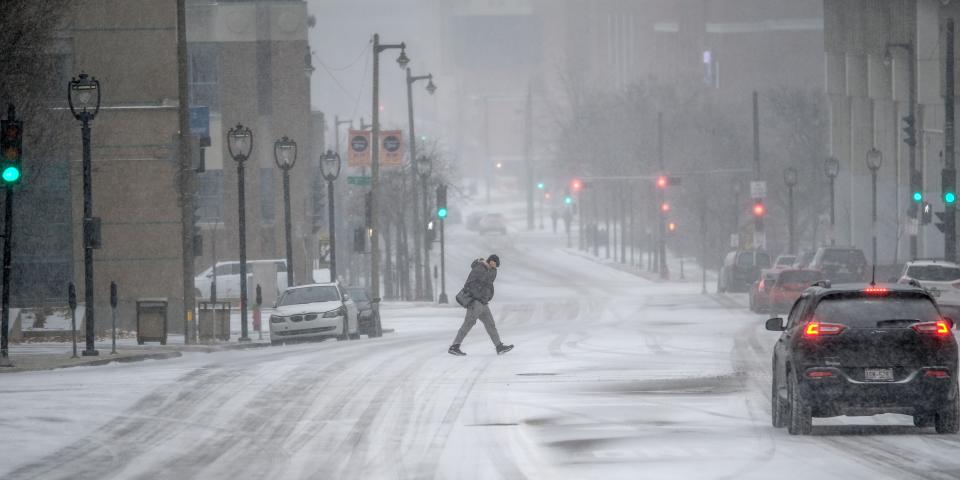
(186, 180)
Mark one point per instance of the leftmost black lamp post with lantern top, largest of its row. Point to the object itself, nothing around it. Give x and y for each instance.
(83, 95)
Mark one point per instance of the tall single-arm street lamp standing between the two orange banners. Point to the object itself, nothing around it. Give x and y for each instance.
(402, 60)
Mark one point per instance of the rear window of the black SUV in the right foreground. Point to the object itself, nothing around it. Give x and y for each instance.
(866, 312)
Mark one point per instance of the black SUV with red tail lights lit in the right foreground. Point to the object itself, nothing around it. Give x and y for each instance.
(864, 350)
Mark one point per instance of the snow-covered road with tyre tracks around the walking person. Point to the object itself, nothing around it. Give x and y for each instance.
(612, 377)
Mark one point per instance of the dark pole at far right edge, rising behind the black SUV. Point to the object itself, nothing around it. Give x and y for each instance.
(949, 174)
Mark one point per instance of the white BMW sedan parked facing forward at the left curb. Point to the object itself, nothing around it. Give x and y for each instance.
(315, 311)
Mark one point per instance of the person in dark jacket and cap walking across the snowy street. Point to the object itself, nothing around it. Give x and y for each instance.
(475, 297)
